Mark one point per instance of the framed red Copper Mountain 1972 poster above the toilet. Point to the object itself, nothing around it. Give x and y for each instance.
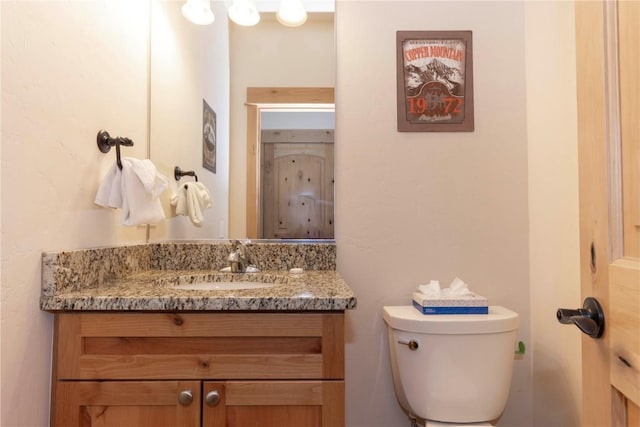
(435, 81)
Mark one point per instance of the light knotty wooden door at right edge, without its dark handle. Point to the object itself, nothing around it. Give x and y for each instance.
(608, 76)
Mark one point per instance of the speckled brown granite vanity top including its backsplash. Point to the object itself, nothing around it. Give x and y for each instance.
(142, 278)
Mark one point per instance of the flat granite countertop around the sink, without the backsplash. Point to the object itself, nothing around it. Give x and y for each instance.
(153, 290)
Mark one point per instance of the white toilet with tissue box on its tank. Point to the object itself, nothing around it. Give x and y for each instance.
(451, 369)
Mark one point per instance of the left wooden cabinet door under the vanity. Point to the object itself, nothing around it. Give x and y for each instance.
(127, 403)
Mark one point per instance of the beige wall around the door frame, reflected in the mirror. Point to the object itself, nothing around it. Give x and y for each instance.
(271, 55)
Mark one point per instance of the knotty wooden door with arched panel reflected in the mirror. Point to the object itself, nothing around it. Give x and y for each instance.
(297, 184)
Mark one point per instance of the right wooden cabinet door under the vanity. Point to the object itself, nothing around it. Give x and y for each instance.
(273, 404)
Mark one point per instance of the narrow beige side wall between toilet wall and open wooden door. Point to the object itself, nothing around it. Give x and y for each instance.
(553, 211)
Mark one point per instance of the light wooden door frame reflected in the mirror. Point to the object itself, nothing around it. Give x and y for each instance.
(264, 98)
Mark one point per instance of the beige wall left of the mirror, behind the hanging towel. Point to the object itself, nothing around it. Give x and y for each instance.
(69, 69)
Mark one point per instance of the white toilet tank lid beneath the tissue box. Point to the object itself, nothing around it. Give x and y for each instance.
(407, 318)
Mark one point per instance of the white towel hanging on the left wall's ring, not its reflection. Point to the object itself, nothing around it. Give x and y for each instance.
(135, 189)
